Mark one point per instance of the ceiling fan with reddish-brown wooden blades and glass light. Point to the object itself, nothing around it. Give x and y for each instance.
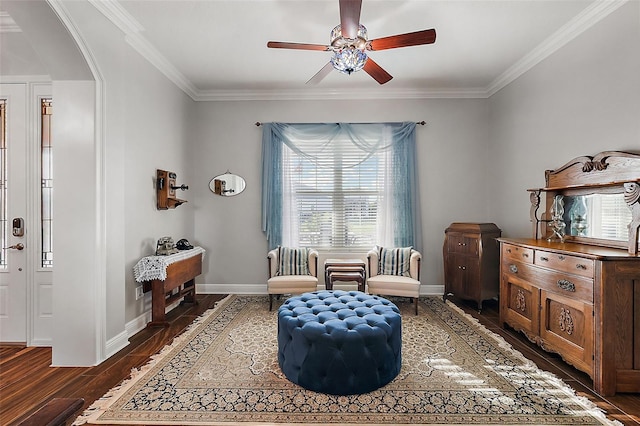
(349, 43)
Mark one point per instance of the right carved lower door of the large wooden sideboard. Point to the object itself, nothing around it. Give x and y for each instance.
(566, 327)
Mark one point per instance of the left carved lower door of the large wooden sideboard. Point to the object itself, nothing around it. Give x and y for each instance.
(519, 303)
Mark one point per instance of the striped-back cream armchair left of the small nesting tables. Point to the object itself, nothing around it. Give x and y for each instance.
(291, 271)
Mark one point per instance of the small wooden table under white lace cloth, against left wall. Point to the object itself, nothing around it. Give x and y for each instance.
(180, 282)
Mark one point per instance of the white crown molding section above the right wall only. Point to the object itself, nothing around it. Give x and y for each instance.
(592, 14)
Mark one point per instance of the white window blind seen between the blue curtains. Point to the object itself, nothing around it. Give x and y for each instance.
(333, 199)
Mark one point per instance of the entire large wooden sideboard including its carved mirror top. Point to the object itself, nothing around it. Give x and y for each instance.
(575, 290)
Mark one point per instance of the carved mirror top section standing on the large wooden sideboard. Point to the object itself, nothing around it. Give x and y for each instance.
(591, 200)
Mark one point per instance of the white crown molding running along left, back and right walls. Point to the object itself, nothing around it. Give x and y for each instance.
(133, 29)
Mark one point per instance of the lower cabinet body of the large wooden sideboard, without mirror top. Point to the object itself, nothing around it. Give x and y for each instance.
(579, 301)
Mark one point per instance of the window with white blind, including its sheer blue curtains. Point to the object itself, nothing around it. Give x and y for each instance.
(340, 186)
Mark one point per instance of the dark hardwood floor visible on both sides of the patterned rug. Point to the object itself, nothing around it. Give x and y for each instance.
(28, 383)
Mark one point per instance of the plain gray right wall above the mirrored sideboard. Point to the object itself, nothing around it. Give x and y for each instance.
(582, 100)
